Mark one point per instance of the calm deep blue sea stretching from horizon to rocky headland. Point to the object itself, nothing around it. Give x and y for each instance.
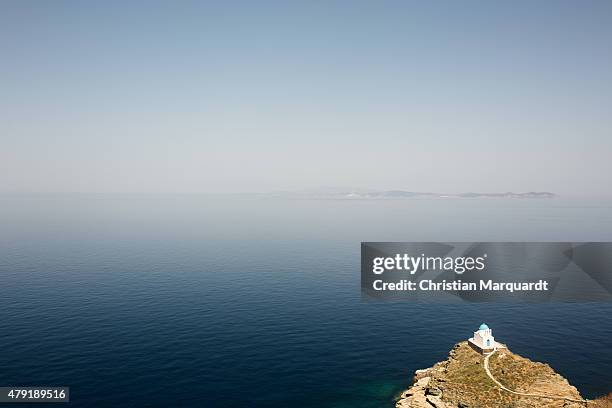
(230, 301)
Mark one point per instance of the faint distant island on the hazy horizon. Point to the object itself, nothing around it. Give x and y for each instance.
(403, 194)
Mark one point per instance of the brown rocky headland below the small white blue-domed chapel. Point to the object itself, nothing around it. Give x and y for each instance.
(461, 381)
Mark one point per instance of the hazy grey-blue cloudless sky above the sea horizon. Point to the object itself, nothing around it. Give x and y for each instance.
(257, 96)
